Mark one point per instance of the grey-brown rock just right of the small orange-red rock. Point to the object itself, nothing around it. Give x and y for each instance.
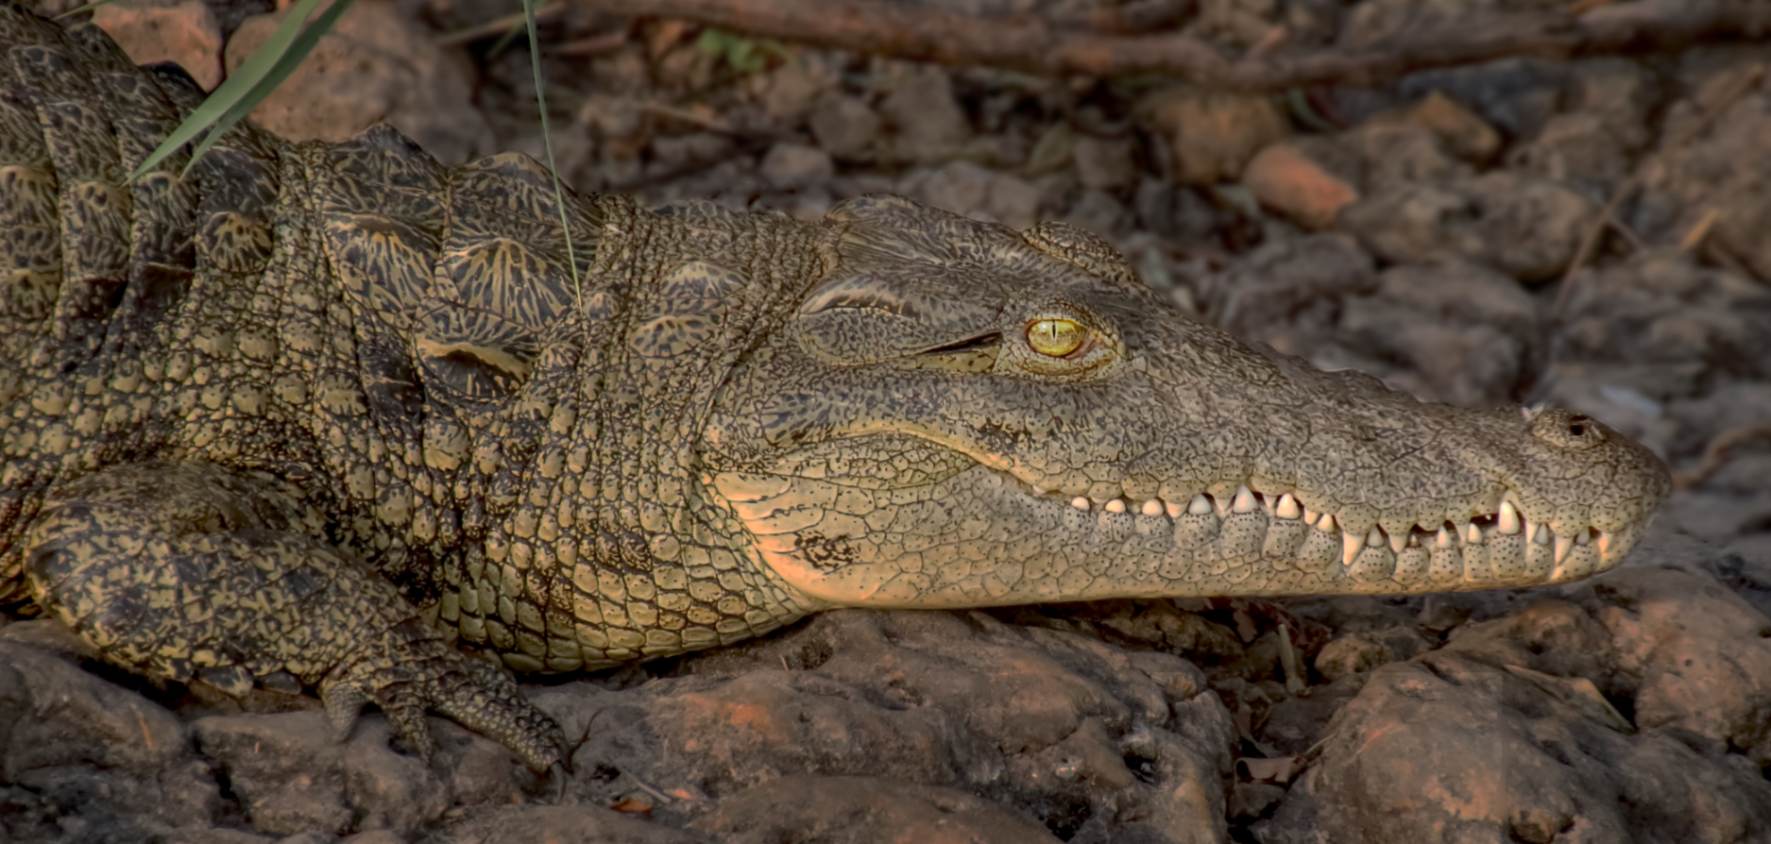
(1524, 227)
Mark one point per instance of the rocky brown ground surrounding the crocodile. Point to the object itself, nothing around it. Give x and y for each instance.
(1416, 233)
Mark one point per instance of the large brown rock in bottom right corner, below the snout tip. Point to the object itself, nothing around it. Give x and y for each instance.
(1510, 730)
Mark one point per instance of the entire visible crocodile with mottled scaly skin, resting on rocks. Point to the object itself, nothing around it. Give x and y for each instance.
(336, 417)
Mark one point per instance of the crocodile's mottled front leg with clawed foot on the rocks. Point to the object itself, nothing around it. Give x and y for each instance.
(192, 571)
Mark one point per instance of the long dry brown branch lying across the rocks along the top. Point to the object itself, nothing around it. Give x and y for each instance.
(1101, 49)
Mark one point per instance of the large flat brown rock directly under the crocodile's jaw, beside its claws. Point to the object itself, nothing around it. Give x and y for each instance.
(1044, 721)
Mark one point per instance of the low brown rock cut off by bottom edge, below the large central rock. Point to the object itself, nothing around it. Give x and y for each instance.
(865, 811)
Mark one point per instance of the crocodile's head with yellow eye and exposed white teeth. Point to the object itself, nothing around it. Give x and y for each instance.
(964, 415)
